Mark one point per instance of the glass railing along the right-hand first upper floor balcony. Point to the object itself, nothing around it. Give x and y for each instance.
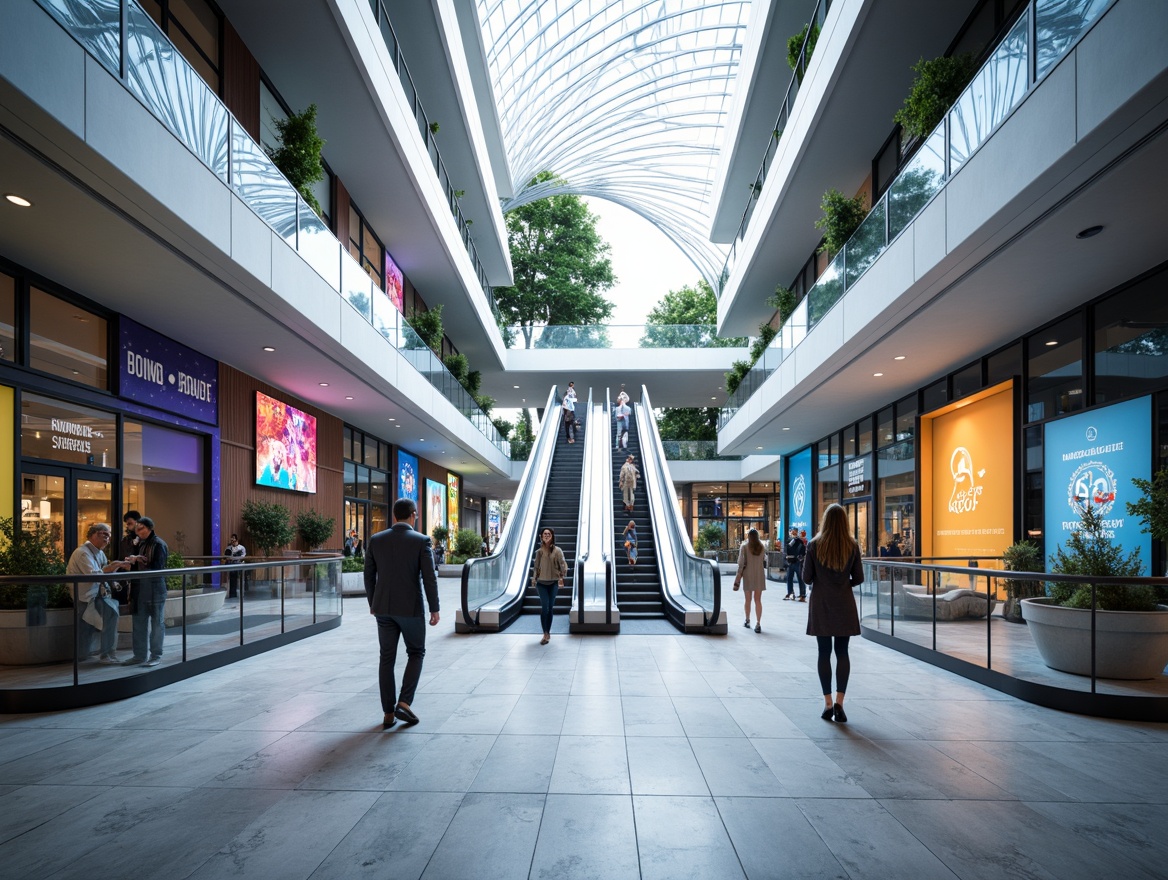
(998, 87)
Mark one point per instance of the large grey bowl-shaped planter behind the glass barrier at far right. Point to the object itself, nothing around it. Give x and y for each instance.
(1129, 645)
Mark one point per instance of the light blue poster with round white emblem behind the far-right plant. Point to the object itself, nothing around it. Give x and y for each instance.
(1090, 460)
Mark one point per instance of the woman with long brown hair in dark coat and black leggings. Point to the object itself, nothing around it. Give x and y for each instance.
(832, 566)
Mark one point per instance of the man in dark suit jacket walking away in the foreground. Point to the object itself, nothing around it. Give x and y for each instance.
(397, 560)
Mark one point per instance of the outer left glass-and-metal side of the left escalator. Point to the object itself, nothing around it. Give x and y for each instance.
(493, 586)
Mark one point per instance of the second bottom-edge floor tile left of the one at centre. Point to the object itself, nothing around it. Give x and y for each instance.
(397, 839)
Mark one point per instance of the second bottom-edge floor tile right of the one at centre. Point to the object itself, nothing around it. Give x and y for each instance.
(775, 841)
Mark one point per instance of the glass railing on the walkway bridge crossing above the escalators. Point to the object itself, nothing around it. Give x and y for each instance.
(617, 336)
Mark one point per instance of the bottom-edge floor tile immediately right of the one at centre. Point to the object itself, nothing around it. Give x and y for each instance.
(684, 837)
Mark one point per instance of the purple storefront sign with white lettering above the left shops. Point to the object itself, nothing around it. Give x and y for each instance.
(162, 373)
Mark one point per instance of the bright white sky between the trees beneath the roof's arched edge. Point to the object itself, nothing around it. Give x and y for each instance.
(648, 265)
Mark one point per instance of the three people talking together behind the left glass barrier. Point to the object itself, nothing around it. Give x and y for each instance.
(140, 550)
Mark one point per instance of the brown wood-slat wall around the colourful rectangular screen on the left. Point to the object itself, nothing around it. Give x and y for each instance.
(238, 459)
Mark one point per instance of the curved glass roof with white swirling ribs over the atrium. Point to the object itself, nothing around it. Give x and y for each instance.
(622, 100)
